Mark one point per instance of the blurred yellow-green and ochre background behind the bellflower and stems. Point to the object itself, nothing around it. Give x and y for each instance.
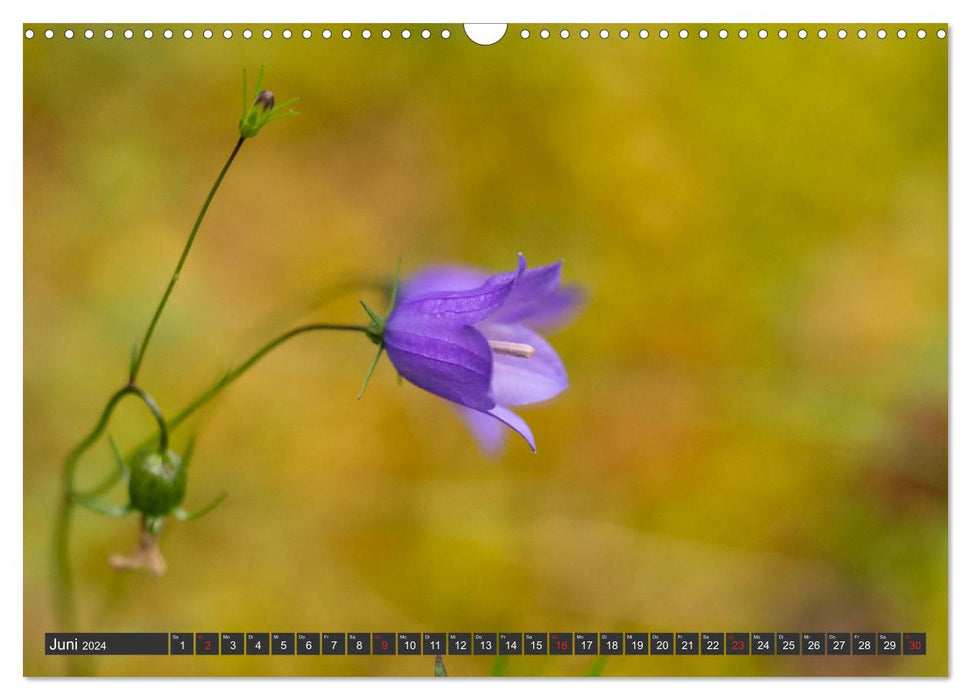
(755, 437)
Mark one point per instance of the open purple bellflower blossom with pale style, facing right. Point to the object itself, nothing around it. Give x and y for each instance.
(472, 339)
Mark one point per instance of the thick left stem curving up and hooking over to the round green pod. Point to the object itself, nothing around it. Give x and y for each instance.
(65, 612)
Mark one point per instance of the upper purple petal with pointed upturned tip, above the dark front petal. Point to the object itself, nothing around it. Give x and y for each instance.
(460, 307)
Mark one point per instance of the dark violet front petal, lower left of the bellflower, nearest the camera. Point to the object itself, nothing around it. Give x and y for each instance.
(454, 362)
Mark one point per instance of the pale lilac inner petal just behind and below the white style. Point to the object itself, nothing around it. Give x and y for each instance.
(516, 380)
